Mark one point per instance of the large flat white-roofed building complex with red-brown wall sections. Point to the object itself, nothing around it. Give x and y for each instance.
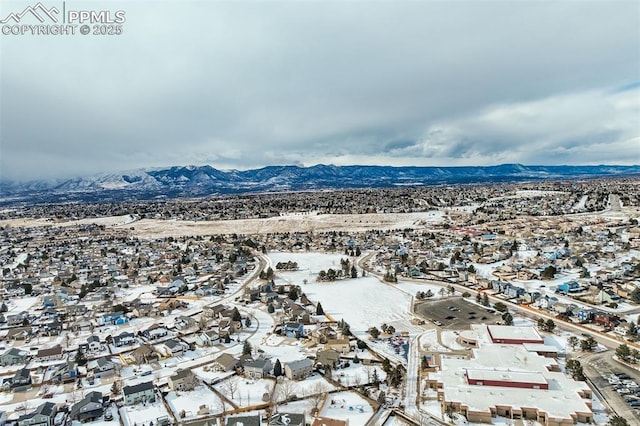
(510, 380)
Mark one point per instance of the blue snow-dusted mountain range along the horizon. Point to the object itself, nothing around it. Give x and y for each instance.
(199, 181)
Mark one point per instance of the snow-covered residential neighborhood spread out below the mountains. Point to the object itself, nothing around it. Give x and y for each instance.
(392, 306)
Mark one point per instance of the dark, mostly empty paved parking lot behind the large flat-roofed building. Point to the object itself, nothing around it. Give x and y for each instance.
(454, 313)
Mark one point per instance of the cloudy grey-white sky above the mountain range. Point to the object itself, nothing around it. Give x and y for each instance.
(245, 84)
